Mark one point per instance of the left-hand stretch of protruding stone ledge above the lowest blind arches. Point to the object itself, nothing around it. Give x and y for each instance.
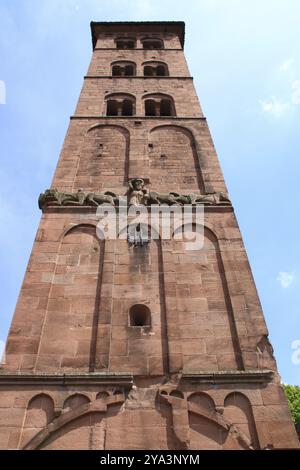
(120, 379)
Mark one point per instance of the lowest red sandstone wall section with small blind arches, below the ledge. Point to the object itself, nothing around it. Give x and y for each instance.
(201, 417)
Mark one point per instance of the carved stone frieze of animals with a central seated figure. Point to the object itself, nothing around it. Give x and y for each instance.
(136, 194)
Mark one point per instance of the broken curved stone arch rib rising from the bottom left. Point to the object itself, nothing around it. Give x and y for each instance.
(99, 405)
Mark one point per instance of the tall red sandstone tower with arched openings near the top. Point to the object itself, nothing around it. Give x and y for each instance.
(139, 342)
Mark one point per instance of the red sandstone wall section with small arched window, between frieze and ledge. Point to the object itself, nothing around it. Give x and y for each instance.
(210, 298)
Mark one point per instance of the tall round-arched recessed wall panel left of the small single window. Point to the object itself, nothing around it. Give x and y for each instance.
(79, 263)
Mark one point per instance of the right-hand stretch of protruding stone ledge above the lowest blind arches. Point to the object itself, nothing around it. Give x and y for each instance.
(242, 376)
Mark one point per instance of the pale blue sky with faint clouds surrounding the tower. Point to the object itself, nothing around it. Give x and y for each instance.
(244, 56)
